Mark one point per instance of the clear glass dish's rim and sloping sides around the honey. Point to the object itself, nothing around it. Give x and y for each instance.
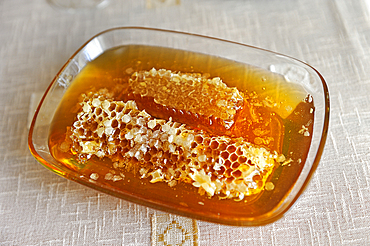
(292, 70)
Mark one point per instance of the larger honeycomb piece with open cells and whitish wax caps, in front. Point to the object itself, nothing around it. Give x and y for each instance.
(167, 151)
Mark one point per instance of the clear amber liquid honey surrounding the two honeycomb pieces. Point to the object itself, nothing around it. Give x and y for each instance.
(114, 67)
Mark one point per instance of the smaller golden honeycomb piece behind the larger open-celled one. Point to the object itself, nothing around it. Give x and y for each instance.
(187, 97)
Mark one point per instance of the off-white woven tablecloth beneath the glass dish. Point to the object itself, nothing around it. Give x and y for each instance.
(38, 207)
